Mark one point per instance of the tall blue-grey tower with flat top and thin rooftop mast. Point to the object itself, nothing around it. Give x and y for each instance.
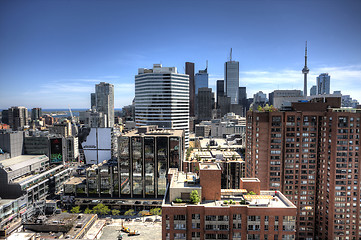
(231, 79)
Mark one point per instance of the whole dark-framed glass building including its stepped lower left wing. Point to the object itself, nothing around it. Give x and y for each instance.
(144, 156)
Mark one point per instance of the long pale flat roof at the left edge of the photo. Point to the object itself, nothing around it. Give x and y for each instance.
(22, 161)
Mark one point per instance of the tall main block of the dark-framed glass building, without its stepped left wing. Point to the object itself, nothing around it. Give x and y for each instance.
(146, 155)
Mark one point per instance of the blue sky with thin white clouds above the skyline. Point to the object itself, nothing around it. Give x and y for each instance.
(53, 52)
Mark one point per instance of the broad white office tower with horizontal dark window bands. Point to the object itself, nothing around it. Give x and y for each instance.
(162, 98)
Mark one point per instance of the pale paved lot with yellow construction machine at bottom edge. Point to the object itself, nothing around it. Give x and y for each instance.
(147, 230)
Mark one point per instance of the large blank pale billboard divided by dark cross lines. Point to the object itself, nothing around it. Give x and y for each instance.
(97, 145)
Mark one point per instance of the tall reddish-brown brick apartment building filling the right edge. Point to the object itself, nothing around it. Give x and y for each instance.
(311, 154)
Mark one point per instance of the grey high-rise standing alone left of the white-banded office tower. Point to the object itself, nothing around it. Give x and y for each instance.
(104, 95)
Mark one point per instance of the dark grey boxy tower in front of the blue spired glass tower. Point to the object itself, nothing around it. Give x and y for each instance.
(205, 103)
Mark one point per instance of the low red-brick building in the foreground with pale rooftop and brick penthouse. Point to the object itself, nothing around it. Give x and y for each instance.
(224, 213)
